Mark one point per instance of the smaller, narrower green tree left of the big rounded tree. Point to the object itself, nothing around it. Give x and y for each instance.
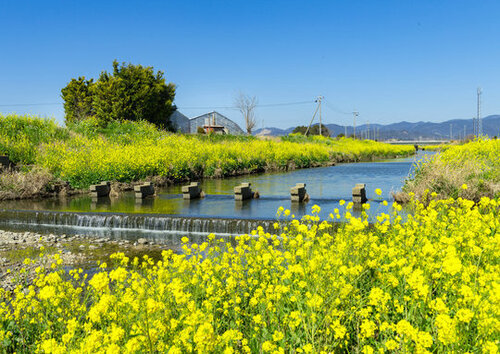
(78, 97)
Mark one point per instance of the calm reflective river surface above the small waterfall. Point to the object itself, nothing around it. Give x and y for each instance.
(326, 187)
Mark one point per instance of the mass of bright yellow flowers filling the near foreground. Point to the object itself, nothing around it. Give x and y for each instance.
(425, 282)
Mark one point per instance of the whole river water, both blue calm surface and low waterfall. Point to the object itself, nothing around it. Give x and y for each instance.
(218, 212)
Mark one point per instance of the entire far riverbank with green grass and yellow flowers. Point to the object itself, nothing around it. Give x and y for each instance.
(83, 154)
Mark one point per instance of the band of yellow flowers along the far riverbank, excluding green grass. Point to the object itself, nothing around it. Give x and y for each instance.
(83, 160)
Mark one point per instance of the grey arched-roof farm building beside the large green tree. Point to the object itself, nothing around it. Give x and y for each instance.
(210, 122)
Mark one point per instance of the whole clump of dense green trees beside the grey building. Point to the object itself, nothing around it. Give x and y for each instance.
(130, 92)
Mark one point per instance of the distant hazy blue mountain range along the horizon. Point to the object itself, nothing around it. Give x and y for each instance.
(406, 130)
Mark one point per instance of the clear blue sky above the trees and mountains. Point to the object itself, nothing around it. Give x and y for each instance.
(390, 60)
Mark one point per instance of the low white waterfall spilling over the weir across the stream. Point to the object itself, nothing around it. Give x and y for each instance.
(132, 222)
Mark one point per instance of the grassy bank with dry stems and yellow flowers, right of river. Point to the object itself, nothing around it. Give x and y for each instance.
(470, 171)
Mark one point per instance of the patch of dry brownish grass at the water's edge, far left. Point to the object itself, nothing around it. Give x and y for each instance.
(37, 182)
